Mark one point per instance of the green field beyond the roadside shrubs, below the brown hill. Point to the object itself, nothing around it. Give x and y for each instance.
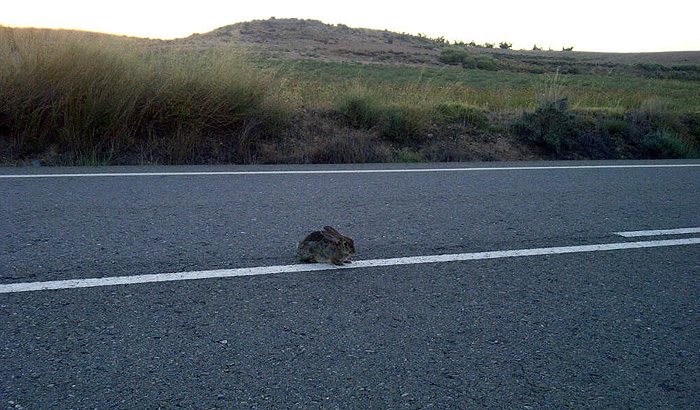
(492, 90)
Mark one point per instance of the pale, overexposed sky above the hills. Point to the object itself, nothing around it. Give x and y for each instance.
(591, 25)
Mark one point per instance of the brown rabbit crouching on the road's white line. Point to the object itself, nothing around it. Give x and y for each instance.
(326, 246)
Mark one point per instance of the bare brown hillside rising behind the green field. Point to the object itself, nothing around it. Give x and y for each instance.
(312, 39)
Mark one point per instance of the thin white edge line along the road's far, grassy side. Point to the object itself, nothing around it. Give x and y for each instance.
(344, 171)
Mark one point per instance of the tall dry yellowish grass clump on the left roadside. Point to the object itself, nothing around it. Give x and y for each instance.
(88, 97)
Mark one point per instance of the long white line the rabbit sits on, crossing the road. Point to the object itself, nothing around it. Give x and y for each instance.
(268, 270)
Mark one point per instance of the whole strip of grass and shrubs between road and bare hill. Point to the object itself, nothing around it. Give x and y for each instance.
(72, 98)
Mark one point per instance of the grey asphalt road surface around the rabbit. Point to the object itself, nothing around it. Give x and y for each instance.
(614, 329)
